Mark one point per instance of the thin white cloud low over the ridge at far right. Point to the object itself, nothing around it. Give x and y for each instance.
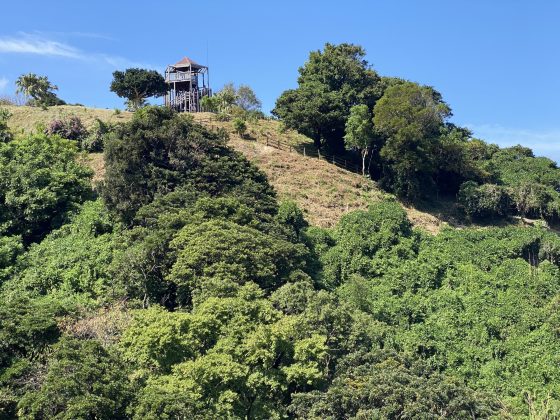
(543, 142)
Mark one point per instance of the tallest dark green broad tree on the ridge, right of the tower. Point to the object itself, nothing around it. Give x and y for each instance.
(329, 84)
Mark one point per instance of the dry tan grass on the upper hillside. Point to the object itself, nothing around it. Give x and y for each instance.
(324, 191)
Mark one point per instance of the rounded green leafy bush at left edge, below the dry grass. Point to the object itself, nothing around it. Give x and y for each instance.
(40, 181)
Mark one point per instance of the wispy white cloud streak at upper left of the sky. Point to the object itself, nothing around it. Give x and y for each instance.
(40, 45)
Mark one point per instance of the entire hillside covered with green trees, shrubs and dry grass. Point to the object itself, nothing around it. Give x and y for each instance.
(357, 256)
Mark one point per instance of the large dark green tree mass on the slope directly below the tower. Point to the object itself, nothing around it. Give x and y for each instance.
(159, 151)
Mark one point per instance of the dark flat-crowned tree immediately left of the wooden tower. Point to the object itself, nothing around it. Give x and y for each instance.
(136, 85)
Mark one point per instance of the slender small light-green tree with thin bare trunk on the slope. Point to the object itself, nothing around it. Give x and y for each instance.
(359, 131)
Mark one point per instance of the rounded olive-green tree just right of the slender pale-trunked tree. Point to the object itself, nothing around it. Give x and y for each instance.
(411, 117)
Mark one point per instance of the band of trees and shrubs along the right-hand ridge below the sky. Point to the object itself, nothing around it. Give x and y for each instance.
(404, 139)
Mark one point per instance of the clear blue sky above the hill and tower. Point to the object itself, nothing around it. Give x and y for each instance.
(496, 62)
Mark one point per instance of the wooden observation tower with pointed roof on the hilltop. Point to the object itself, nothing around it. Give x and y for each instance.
(188, 83)
